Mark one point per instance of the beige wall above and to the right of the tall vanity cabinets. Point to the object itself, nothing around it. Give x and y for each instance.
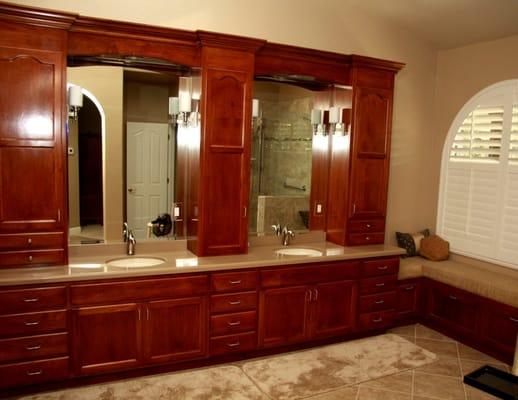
(318, 25)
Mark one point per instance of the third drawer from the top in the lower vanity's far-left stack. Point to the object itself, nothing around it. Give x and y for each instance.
(28, 348)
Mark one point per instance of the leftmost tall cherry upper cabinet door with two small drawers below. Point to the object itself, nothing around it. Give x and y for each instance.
(32, 157)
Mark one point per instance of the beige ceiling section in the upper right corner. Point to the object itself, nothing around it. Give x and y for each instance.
(448, 23)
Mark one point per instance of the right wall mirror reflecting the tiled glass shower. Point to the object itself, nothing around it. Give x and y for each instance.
(293, 119)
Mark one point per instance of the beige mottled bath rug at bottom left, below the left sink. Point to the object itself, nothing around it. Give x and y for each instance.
(218, 383)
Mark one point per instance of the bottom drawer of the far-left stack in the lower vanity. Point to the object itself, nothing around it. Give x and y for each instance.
(34, 372)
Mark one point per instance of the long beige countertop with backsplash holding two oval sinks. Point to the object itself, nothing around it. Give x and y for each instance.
(89, 262)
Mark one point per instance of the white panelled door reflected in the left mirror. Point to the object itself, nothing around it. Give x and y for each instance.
(146, 174)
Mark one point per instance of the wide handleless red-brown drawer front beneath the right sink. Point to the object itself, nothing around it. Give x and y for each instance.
(304, 275)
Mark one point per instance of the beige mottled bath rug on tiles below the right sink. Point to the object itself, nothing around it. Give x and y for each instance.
(307, 373)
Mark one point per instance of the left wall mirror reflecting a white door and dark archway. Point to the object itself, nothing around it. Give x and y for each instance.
(127, 146)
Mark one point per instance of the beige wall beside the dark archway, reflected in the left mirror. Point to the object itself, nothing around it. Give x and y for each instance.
(106, 84)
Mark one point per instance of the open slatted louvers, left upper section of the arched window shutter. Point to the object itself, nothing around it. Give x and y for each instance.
(480, 135)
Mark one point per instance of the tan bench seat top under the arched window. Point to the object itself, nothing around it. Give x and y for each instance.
(490, 281)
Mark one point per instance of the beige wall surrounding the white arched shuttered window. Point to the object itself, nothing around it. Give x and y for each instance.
(462, 73)
